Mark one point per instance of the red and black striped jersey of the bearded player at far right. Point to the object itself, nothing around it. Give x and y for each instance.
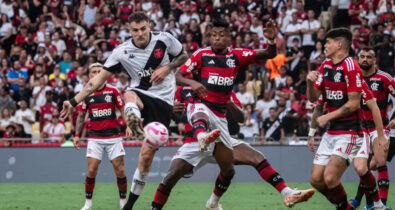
(381, 84)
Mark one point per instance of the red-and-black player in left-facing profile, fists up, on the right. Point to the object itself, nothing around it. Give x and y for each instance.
(339, 80)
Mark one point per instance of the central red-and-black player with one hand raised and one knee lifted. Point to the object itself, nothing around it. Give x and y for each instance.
(217, 67)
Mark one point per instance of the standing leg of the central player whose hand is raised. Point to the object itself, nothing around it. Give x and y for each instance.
(224, 157)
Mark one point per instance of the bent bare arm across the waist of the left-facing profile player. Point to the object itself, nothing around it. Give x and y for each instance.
(352, 105)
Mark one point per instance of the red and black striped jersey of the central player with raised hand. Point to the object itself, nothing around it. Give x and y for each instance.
(217, 73)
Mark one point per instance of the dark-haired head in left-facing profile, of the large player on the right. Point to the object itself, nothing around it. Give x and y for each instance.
(338, 40)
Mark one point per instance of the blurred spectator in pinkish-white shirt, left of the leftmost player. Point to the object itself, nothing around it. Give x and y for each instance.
(54, 131)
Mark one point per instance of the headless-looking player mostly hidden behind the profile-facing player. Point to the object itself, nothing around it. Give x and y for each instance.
(361, 159)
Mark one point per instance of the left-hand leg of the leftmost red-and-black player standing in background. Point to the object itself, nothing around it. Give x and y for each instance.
(93, 165)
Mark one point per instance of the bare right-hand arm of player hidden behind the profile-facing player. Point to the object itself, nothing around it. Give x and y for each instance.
(378, 122)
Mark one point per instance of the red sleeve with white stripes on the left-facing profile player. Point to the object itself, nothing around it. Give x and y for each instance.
(353, 76)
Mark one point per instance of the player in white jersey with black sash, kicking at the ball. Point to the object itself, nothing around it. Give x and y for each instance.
(150, 59)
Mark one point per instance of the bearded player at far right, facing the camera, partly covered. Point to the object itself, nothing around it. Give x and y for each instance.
(381, 84)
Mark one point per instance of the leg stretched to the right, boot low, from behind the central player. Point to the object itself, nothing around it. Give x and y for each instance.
(244, 154)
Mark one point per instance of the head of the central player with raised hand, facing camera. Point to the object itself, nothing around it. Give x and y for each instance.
(220, 35)
